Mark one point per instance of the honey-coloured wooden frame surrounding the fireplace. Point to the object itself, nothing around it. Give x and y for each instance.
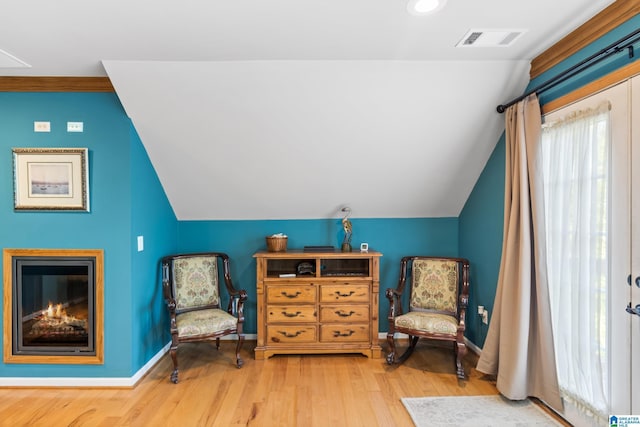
(9, 357)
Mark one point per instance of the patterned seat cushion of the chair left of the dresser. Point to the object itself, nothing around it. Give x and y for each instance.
(204, 322)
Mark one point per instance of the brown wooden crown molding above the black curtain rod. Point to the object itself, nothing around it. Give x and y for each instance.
(605, 21)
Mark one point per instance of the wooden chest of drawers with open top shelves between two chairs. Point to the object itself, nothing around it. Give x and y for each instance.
(332, 308)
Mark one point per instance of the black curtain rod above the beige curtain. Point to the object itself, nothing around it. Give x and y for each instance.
(624, 43)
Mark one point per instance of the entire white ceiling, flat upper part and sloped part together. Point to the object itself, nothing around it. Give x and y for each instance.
(294, 108)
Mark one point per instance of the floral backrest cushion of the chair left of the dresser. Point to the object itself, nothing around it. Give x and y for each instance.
(196, 281)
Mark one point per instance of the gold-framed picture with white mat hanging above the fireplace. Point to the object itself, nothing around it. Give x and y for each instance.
(51, 179)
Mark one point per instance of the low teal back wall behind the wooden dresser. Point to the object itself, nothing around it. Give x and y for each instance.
(394, 238)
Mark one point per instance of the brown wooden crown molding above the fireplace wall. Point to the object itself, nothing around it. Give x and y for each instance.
(55, 84)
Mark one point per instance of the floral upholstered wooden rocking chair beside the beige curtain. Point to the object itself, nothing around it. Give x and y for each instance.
(438, 296)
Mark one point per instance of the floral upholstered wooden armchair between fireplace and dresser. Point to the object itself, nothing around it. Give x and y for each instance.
(191, 288)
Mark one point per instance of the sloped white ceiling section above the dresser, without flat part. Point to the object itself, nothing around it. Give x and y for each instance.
(281, 139)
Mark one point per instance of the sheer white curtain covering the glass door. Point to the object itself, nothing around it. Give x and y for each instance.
(574, 167)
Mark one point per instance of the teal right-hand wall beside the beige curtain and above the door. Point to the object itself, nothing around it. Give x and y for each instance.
(482, 217)
